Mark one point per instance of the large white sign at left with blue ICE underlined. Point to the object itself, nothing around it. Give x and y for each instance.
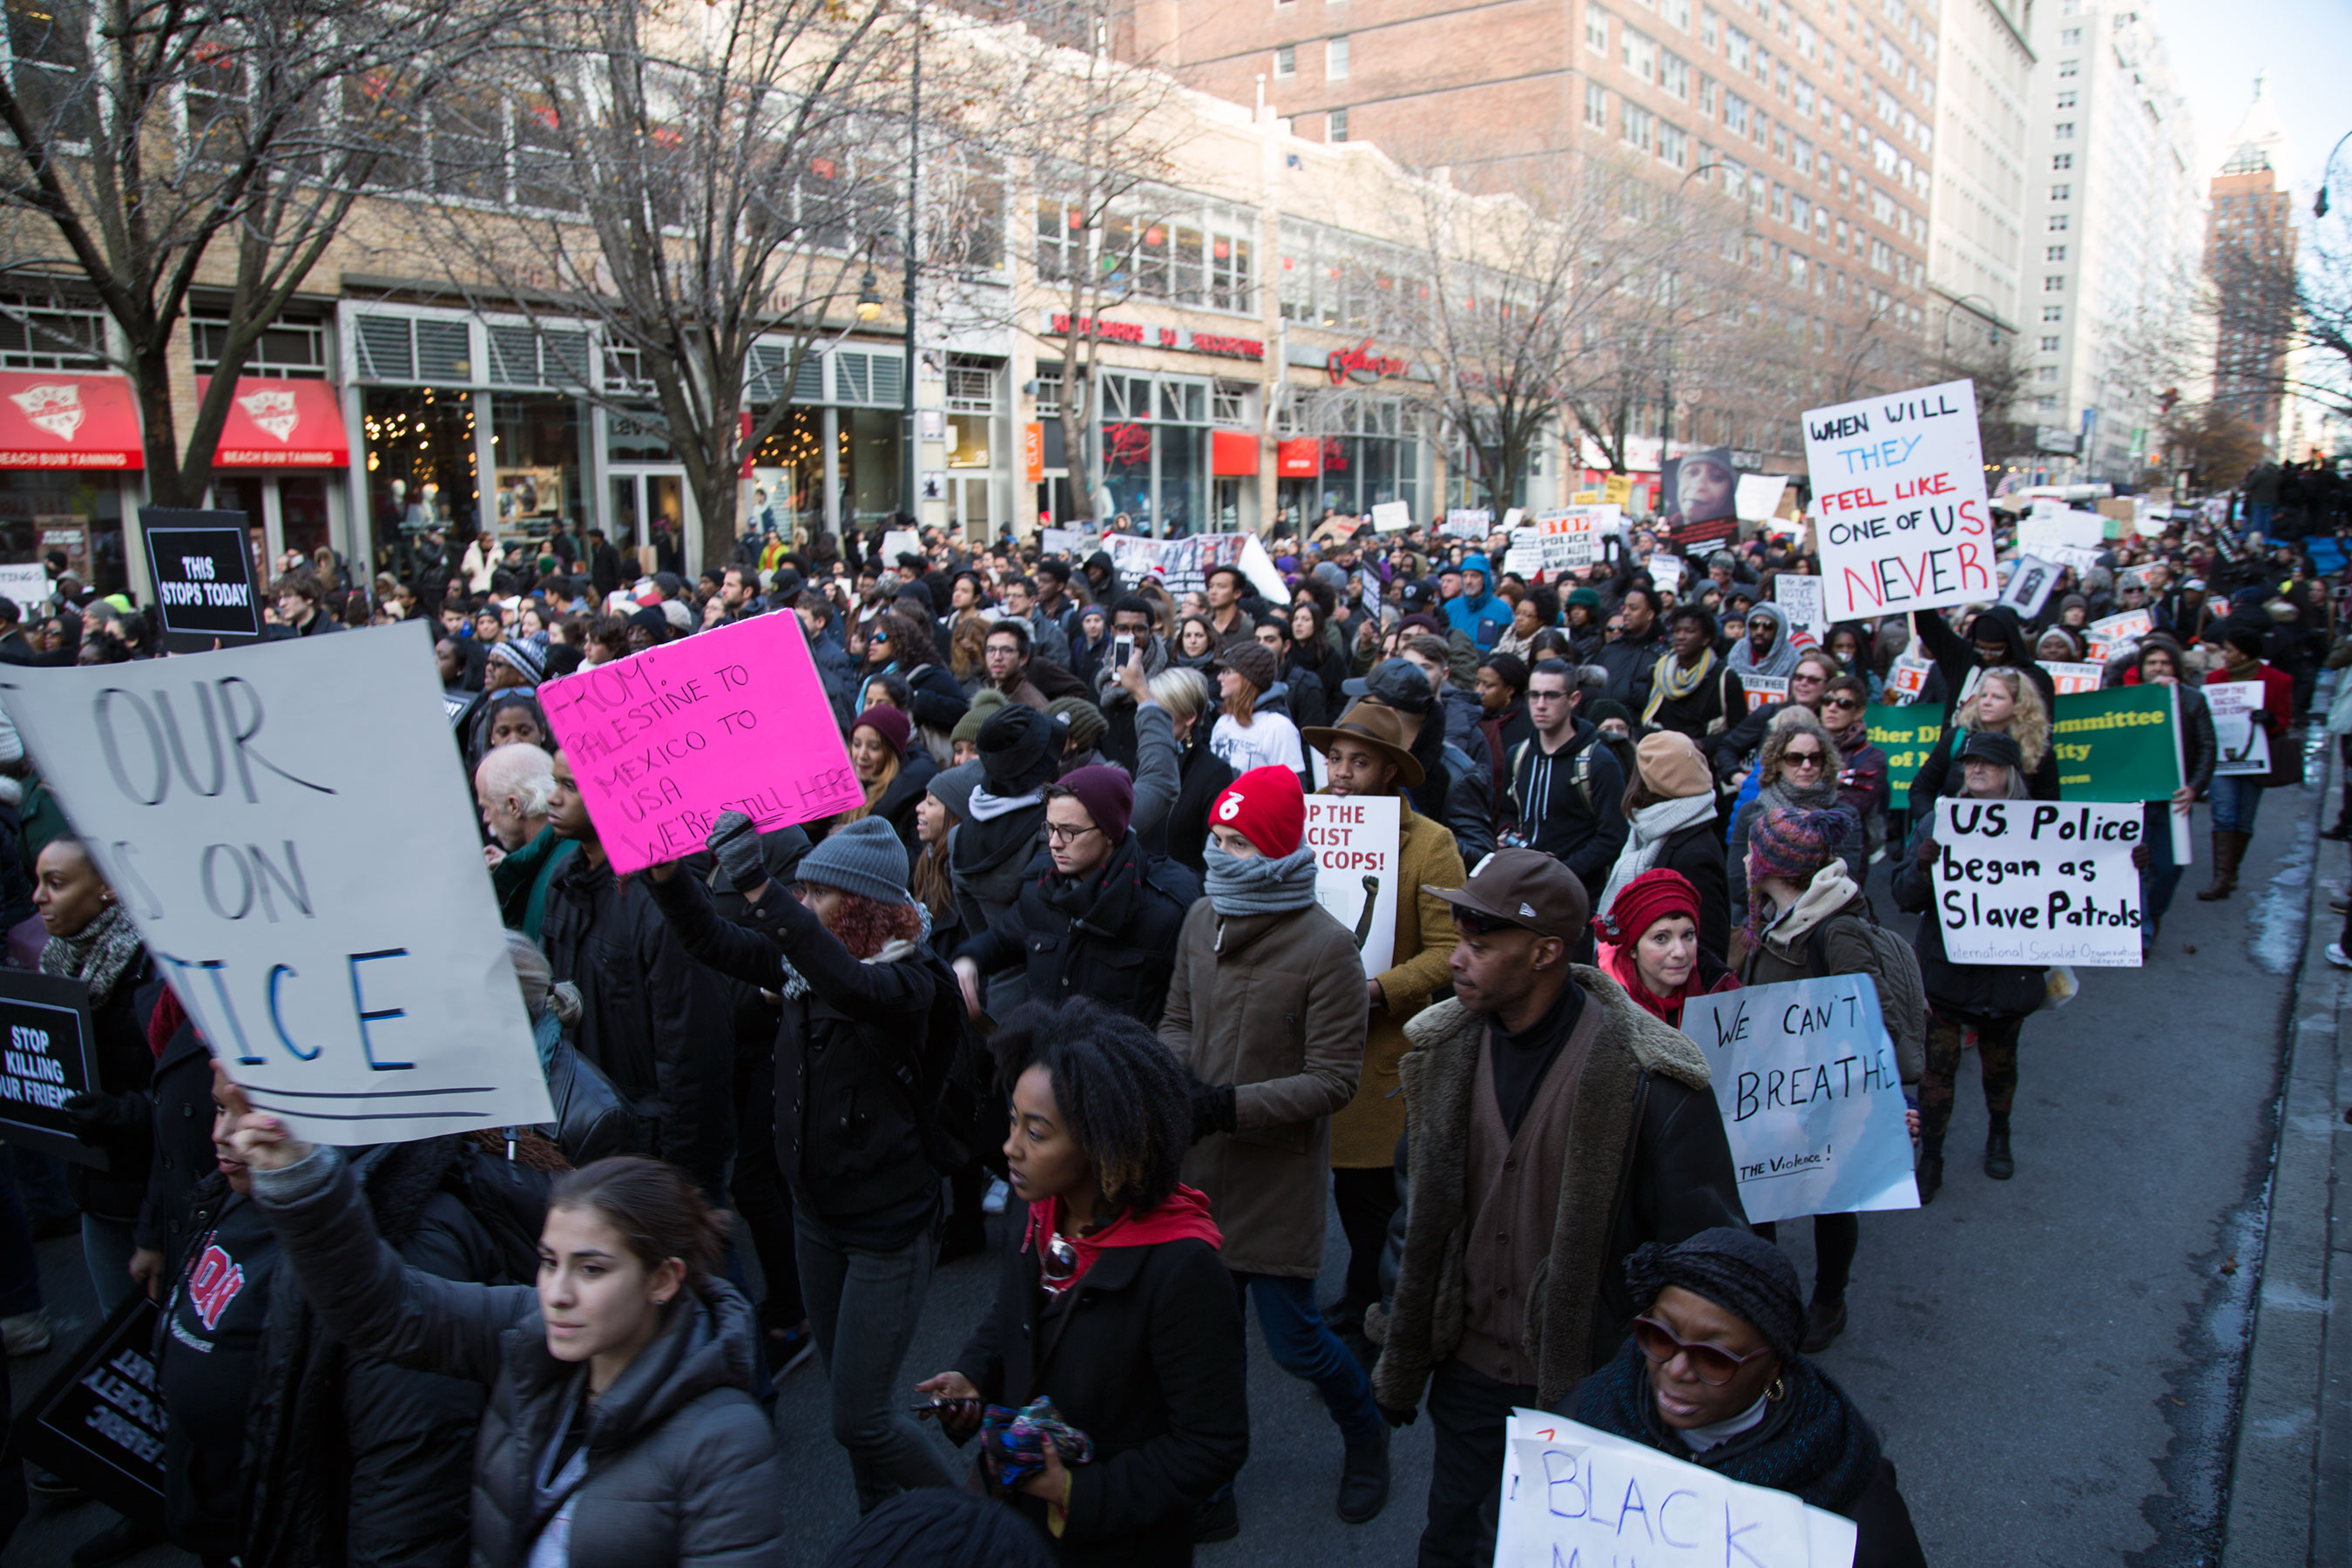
(246, 808)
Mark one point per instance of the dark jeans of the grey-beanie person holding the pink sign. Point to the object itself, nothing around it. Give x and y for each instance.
(862, 1311)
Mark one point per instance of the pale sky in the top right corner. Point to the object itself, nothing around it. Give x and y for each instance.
(2219, 46)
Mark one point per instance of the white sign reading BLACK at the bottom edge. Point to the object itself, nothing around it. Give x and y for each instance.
(1577, 1496)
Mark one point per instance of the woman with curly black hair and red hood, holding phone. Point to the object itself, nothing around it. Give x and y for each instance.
(1116, 1304)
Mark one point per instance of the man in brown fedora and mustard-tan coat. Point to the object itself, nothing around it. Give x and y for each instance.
(1370, 753)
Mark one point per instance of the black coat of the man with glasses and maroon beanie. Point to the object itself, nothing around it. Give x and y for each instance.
(1114, 939)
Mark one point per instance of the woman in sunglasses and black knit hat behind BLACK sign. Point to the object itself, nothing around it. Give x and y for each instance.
(1713, 1376)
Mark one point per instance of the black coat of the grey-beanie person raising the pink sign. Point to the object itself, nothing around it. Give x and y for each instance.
(850, 1052)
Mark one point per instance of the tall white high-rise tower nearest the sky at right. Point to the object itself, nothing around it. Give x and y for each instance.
(2113, 232)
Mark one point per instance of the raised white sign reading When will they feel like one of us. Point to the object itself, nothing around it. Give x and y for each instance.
(1902, 495)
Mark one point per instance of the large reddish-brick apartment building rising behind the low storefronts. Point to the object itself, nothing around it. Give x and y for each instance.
(1819, 114)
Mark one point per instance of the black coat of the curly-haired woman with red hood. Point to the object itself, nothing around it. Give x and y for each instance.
(1149, 1360)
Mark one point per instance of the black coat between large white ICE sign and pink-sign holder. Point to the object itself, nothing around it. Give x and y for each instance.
(650, 1017)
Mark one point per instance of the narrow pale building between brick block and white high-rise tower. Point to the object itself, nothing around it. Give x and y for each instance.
(1977, 217)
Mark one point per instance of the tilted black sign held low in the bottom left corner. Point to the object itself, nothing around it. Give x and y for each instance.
(100, 1423)
